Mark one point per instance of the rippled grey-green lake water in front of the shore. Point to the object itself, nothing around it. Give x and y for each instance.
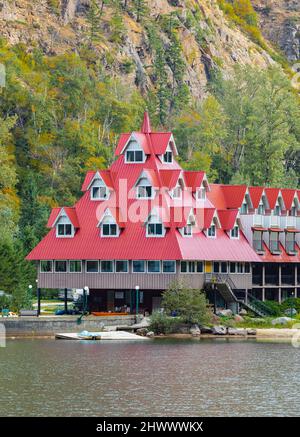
(162, 377)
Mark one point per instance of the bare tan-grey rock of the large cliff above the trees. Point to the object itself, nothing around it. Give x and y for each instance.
(57, 26)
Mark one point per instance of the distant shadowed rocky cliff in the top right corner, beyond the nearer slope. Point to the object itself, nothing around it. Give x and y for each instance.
(280, 23)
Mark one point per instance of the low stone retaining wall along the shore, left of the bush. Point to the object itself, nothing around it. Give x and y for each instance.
(46, 326)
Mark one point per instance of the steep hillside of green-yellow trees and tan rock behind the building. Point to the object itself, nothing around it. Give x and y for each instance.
(80, 73)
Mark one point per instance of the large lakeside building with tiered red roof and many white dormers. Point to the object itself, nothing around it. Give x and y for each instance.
(145, 222)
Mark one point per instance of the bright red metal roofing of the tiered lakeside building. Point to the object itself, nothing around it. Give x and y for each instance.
(131, 214)
